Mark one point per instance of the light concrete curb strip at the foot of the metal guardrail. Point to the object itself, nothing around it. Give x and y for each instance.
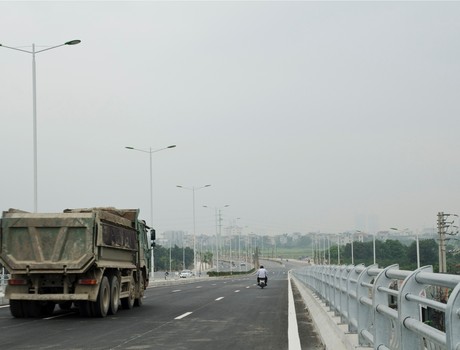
(334, 335)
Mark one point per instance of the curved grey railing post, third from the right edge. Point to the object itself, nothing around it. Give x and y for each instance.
(384, 332)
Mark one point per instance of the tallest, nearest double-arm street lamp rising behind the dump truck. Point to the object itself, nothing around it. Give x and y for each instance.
(34, 100)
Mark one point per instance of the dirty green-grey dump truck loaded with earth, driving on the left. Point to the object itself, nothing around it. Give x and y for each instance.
(93, 259)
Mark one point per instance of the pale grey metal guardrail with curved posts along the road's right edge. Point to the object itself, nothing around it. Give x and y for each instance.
(390, 308)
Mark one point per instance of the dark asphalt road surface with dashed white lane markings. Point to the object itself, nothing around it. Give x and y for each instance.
(230, 313)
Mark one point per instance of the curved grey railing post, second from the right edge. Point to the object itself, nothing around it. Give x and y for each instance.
(409, 339)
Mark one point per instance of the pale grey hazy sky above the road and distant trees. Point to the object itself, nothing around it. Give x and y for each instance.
(303, 116)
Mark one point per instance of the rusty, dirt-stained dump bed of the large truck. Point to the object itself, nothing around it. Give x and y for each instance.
(68, 242)
